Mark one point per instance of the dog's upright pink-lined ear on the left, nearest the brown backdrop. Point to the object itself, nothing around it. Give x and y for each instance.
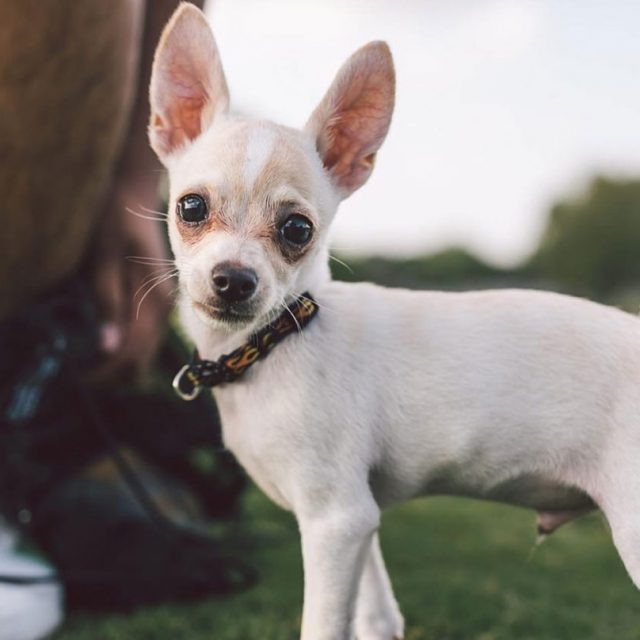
(188, 88)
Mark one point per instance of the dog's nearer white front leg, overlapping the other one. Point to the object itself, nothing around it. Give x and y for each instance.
(335, 543)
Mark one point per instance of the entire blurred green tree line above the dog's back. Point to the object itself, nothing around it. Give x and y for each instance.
(590, 247)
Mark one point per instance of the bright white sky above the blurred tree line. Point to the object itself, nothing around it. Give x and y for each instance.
(503, 106)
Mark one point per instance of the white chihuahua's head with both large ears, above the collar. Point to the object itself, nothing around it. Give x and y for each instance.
(251, 201)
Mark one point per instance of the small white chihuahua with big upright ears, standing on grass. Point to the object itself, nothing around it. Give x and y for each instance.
(523, 397)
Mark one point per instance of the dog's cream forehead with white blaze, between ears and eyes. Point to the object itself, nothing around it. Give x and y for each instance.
(243, 161)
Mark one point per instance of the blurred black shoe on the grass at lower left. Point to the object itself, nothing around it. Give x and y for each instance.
(111, 555)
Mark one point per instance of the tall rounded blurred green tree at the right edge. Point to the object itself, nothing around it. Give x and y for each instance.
(591, 245)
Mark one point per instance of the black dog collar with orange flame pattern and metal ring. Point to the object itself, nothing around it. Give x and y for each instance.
(210, 373)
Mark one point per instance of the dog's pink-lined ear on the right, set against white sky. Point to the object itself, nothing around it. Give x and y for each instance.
(351, 122)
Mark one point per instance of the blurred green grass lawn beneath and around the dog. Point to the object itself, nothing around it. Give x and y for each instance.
(462, 570)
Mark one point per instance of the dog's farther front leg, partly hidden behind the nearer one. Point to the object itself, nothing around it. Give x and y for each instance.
(377, 614)
